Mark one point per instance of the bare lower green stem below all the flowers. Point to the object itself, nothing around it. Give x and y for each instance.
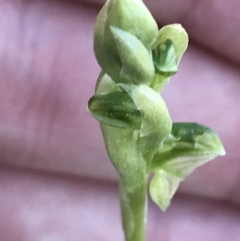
(134, 211)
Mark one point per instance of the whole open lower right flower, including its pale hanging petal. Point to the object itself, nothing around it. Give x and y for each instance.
(188, 146)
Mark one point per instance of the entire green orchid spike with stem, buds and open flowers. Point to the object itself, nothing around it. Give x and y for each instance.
(137, 61)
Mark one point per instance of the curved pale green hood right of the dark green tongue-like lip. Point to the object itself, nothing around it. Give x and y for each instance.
(156, 122)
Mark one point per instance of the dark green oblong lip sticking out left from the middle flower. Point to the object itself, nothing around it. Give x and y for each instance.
(115, 109)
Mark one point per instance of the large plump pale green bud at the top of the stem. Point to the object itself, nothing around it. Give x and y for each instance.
(134, 19)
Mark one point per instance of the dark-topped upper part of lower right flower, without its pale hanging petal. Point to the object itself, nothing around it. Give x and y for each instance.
(189, 146)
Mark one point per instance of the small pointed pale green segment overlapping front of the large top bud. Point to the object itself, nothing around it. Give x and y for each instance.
(137, 65)
